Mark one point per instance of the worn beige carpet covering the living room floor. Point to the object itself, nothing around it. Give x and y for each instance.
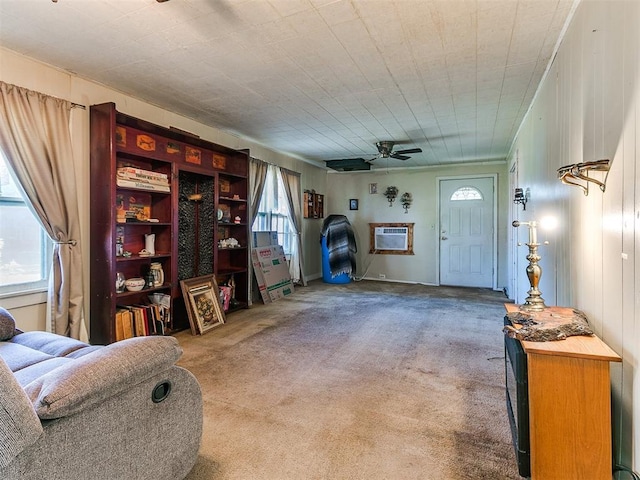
(368, 380)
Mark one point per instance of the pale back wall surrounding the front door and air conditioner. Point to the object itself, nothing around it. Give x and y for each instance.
(422, 267)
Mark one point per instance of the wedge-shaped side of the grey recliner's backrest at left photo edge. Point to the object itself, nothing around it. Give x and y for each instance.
(20, 427)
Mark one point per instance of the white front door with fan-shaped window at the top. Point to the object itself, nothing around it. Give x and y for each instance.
(466, 232)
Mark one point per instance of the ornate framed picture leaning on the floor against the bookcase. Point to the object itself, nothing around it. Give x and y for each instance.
(202, 299)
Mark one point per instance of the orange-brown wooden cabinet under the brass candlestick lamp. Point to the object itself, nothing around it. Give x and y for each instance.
(569, 406)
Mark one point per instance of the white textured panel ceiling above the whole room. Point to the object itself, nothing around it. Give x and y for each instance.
(318, 79)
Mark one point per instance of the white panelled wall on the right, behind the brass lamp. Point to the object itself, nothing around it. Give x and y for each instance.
(588, 109)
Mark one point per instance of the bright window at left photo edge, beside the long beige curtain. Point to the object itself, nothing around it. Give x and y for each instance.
(25, 249)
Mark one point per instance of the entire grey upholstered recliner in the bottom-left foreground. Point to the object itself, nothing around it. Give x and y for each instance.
(69, 410)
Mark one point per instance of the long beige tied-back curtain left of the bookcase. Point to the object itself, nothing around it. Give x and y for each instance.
(36, 139)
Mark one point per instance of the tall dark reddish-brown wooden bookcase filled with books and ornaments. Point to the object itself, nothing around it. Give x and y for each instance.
(206, 188)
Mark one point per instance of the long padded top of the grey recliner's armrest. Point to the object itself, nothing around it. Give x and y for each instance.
(101, 374)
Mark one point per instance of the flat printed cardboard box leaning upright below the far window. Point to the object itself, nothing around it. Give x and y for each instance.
(272, 272)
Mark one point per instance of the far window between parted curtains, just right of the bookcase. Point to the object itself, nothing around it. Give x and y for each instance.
(273, 212)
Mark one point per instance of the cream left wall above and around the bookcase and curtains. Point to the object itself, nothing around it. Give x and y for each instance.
(19, 70)
